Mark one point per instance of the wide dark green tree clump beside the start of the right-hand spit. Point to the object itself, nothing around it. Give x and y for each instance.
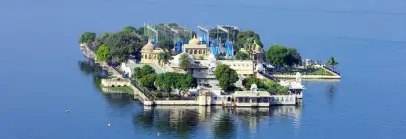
(280, 56)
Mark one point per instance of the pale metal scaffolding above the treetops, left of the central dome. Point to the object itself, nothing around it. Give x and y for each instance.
(172, 32)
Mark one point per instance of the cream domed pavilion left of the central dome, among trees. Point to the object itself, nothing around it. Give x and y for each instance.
(149, 54)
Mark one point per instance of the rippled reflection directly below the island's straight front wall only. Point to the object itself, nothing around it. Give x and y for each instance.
(182, 121)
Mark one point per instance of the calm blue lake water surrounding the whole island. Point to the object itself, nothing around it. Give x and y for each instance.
(41, 77)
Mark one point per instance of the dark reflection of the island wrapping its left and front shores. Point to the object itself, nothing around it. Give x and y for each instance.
(186, 121)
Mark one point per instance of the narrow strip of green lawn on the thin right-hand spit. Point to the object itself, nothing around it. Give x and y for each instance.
(308, 71)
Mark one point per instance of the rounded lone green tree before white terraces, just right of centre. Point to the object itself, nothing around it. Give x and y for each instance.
(226, 77)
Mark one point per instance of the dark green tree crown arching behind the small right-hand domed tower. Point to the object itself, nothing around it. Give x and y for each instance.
(244, 35)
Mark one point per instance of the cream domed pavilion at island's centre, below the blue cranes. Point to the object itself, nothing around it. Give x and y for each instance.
(195, 48)
